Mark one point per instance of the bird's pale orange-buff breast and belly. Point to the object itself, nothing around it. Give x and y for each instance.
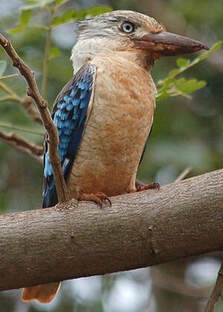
(116, 130)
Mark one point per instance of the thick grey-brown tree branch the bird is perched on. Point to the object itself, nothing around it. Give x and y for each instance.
(140, 229)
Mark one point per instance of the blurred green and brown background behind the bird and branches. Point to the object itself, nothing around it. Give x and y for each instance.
(186, 133)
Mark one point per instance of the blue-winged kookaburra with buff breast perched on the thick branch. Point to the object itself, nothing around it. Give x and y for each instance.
(104, 114)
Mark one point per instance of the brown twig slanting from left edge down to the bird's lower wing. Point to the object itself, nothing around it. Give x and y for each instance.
(21, 144)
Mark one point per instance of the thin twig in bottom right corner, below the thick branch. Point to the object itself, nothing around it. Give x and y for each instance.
(216, 293)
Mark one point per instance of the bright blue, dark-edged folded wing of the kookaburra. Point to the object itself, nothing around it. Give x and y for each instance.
(69, 115)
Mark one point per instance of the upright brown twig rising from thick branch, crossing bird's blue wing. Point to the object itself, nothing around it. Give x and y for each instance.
(41, 103)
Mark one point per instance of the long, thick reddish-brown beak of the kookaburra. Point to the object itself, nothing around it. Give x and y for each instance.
(166, 43)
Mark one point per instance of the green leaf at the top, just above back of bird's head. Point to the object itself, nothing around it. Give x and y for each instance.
(72, 14)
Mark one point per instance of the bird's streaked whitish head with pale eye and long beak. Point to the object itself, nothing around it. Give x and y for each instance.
(138, 35)
